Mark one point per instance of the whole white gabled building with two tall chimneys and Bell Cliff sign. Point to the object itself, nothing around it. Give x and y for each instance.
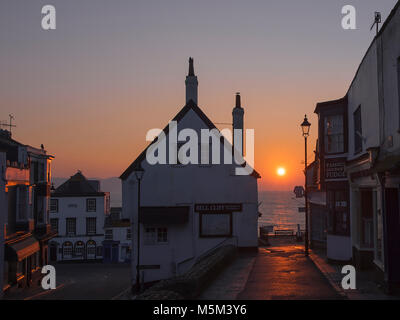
(187, 210)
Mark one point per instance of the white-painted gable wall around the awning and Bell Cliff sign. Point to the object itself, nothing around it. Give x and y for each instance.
(188, 185)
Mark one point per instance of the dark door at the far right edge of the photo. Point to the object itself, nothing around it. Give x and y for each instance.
(393, 234)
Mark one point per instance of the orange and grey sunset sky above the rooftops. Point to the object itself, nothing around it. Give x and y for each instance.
(92, 88)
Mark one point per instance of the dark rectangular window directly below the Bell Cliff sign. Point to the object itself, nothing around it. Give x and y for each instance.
(215, 224)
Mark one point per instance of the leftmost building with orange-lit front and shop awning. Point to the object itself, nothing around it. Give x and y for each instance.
(27, 177)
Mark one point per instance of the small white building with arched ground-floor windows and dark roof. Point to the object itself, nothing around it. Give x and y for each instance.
(77, 211)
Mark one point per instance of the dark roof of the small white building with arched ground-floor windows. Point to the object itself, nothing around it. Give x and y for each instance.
(77, 186)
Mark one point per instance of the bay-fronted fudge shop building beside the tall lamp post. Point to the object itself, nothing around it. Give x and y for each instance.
(332, 151)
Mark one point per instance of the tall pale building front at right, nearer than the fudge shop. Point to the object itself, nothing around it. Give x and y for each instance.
(376, 91)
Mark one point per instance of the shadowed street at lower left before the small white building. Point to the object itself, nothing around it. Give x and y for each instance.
(82, 281)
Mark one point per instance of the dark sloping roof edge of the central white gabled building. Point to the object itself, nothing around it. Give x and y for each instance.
(190, 105)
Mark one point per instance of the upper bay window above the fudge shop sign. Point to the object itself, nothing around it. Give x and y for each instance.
(334, 138)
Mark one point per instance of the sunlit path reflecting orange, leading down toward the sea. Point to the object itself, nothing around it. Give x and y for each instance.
(278, 272)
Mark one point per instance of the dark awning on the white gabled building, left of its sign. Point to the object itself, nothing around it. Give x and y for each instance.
(164, 215)
